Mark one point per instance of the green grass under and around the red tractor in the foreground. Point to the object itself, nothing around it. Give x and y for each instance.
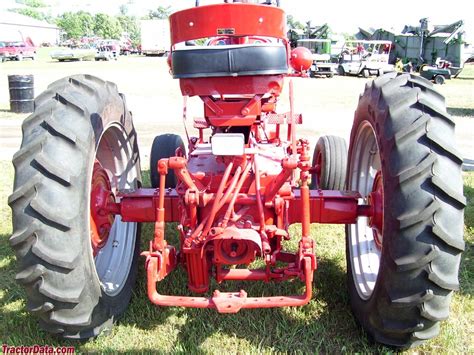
(325, 325)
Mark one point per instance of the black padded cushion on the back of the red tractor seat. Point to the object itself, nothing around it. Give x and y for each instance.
(229, 60)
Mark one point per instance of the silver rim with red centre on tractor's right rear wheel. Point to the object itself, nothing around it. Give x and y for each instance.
(365, 239)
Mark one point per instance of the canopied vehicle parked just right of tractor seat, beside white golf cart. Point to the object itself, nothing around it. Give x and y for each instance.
(321, 54)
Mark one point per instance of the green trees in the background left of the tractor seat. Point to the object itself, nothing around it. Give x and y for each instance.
(84, 24)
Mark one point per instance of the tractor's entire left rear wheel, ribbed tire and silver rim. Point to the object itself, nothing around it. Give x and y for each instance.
(79, 123)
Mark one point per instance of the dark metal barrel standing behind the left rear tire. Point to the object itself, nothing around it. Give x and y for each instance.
(22, 93)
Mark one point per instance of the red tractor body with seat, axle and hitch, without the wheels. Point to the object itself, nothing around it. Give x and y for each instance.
(237, 193)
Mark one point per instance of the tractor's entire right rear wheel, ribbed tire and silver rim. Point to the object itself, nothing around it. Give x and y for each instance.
(402, 270)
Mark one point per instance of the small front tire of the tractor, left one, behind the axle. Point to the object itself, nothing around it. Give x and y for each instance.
(163, 147)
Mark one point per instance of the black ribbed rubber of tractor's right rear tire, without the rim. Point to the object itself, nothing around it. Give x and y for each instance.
(425, 187)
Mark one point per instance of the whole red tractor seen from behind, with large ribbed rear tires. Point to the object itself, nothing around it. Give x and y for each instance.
(232, 194)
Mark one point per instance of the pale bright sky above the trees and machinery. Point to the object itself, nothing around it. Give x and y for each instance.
(341, 15)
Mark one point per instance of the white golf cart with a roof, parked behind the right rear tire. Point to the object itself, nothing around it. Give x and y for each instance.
(365, 58)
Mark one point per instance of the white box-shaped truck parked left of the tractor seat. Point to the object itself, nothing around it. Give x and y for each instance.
(155, 37)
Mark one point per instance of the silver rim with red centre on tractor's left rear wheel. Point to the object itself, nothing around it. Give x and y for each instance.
(114, 256)
